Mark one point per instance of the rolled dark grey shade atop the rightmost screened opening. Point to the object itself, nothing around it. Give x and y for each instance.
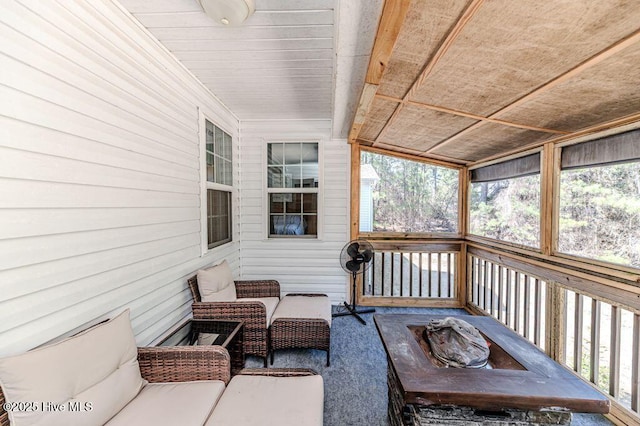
(616, 149)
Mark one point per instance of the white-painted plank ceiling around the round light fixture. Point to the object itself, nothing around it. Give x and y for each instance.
(279, 64)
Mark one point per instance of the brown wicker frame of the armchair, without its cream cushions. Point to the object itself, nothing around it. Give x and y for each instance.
(253, 313)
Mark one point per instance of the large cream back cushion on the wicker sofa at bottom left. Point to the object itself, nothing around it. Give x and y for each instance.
(85, 379)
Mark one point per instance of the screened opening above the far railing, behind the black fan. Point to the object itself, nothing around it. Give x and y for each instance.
(399, 195)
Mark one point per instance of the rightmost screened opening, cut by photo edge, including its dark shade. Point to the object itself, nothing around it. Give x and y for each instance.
(600, 200)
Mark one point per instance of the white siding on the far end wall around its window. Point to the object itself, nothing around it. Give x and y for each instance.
(300, 265)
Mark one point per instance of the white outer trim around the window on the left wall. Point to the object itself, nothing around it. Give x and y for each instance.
(203, 117)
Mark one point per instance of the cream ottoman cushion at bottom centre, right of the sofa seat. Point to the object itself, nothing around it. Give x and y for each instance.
(262, 400)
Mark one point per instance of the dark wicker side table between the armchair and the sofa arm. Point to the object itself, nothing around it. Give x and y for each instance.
(227, 334)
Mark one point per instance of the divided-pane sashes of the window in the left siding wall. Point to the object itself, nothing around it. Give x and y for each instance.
(219, 170)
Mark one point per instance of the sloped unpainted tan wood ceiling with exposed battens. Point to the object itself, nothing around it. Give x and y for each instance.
(470, 80)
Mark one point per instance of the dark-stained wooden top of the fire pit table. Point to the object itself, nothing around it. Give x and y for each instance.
(536, 383)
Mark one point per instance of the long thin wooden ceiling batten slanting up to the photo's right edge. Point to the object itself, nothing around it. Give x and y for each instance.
(588, 63)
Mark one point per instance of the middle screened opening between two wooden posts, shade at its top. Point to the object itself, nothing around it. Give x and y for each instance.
(505, 201)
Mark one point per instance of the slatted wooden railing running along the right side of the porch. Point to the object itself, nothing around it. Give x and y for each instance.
(581, 324)
